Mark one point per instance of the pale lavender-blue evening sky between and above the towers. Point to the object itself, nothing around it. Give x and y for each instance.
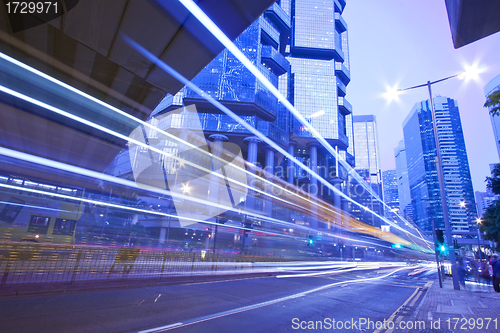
(410, 53)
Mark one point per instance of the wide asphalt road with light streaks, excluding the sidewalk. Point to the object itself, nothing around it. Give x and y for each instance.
(268, 304)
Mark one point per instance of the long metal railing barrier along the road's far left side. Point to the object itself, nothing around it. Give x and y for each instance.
(47, 263)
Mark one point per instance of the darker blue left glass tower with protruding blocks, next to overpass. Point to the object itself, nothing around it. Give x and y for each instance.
(228, 81)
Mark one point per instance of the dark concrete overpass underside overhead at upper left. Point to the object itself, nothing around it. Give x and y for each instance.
(83, 48)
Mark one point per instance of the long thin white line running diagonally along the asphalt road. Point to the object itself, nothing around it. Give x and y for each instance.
(259, 305)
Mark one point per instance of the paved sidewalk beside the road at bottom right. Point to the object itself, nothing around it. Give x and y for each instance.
(448, 310)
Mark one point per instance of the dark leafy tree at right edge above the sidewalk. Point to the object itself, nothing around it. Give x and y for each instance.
(491, 218)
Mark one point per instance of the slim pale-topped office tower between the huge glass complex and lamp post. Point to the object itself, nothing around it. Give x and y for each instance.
(368, 167)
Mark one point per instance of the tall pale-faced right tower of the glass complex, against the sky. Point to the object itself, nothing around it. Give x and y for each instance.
(319, 57)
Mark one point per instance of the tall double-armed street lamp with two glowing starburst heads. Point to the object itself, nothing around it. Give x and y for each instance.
(392, 94)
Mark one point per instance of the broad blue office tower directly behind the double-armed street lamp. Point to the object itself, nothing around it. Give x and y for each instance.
(422, 173)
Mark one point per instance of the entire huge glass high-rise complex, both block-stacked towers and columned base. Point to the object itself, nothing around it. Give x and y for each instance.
(311, 36)
